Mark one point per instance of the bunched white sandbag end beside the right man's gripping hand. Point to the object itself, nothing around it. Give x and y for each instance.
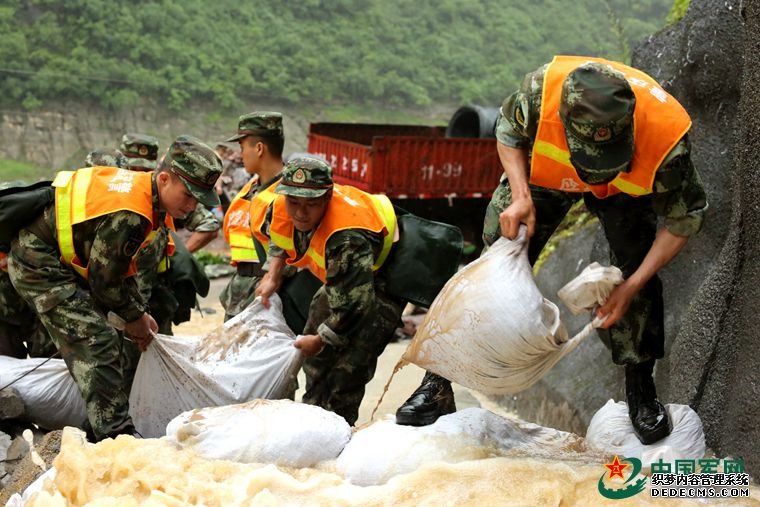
(590, 288)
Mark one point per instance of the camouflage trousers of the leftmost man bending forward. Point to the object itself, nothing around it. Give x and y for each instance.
(99, 359)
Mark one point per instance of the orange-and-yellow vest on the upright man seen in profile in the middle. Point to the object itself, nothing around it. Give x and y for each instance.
(237, 222)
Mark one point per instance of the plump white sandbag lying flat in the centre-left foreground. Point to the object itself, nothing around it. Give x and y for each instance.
(279, 432)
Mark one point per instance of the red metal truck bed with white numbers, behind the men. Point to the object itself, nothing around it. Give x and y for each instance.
(406, 161)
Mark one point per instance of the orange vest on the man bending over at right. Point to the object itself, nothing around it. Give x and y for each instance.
(659, 123)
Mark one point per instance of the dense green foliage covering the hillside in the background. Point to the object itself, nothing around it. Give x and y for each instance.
(395, 53)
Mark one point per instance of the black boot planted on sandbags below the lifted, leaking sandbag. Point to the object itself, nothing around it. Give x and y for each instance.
(431, 400)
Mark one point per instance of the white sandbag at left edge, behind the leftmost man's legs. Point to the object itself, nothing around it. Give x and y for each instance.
(51, 397)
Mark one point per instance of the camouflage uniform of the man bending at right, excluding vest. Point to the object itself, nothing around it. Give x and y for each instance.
(629, 223)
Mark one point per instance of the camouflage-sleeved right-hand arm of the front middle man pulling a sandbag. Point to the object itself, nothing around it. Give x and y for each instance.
(350, 286)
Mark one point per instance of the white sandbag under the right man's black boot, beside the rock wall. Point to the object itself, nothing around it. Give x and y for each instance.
(610, 430)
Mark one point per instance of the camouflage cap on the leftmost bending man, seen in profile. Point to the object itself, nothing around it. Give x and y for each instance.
(197, 165)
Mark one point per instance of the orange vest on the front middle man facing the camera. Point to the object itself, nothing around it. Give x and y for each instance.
(349, 208)
